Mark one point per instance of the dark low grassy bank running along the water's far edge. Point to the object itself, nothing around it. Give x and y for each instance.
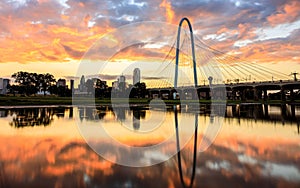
(54, 100)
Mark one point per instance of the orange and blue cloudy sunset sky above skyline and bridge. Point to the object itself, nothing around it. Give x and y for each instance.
(54, 35)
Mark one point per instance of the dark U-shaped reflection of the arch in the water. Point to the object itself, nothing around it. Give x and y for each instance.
(194, 152)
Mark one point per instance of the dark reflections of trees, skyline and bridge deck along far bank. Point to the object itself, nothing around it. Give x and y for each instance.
(284, 114)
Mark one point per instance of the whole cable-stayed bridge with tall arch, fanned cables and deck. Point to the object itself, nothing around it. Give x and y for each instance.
(190, 61)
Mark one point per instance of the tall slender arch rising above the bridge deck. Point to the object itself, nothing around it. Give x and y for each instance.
(193, 51)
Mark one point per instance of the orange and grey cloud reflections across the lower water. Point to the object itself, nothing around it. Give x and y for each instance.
(235, 161)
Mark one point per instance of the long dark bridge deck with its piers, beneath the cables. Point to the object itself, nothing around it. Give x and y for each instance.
(239, 91)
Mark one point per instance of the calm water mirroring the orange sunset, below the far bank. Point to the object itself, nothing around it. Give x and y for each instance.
(43, 147)
